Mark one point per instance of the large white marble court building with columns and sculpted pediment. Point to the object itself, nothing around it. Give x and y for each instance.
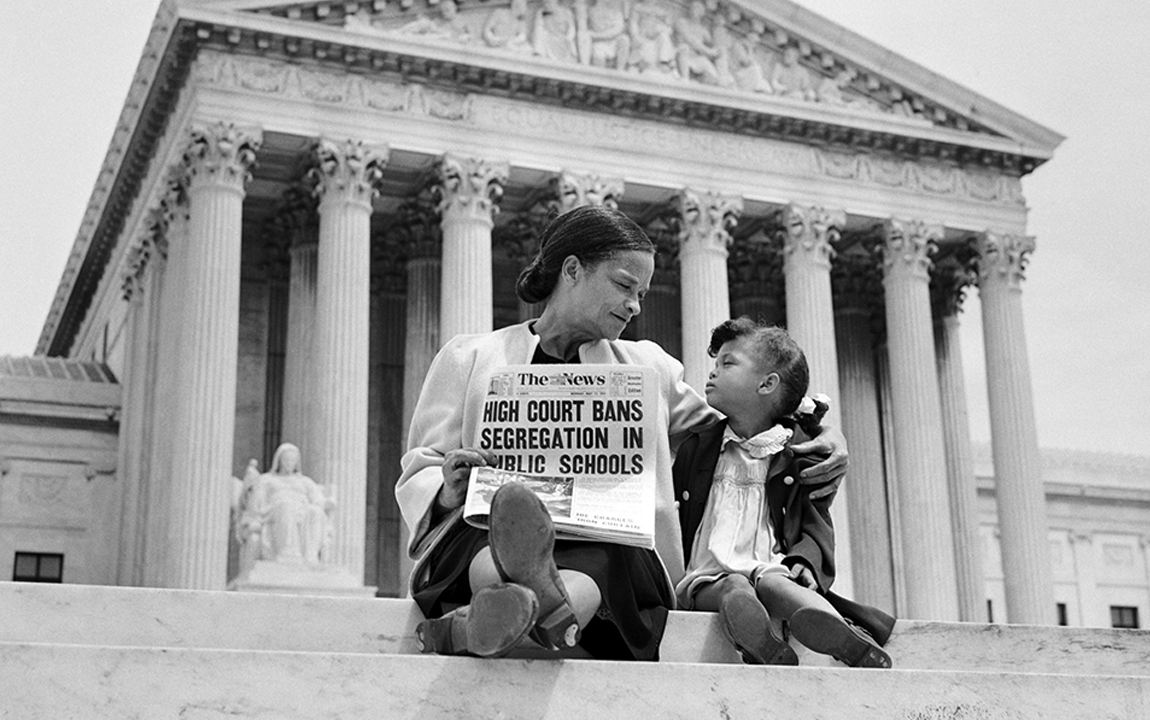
(303, 201)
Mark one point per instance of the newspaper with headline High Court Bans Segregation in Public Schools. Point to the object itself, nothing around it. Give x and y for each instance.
(582, 438)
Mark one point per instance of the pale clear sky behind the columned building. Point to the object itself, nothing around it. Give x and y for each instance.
(1075, 67)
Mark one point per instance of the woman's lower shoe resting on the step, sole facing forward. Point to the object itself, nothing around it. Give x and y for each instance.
(496, 622)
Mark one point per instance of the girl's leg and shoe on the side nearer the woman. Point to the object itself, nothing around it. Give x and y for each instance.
(745, 622)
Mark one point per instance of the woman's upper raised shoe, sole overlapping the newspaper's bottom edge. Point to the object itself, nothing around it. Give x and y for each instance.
(523, 541)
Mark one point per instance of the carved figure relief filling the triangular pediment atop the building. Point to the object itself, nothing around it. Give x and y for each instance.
(702, 43)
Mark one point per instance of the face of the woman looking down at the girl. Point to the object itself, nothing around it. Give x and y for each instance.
(605, 297)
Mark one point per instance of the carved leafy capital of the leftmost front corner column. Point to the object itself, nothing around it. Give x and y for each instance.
(220, 154)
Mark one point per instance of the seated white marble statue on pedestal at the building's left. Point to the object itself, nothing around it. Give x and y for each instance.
(288, 511)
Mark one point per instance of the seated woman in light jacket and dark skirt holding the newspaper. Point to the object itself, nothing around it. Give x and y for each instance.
(484, 592)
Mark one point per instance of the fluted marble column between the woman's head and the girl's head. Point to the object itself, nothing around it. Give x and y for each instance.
(706, 220)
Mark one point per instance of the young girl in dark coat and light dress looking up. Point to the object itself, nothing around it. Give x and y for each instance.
(757, 541)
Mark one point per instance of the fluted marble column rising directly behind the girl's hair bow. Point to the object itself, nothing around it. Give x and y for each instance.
(808, 234)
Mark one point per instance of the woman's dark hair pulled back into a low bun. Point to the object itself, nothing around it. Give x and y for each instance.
(592, 233)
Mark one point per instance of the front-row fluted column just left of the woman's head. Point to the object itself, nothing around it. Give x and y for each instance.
(471, 190)
